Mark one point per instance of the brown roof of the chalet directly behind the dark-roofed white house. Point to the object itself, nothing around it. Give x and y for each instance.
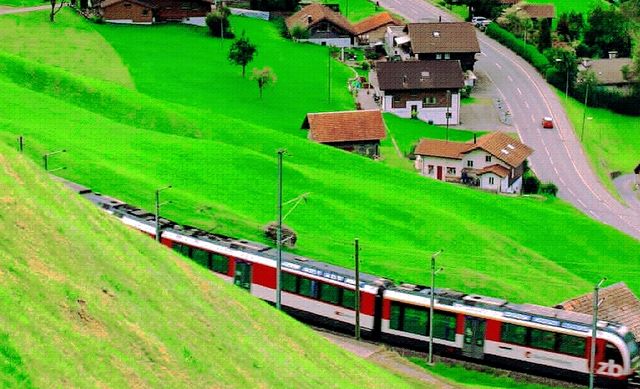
(458, 37)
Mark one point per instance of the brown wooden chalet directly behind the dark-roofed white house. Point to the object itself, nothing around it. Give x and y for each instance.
(442, 41)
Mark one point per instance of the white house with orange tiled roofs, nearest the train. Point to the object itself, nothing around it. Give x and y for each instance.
(493, 162)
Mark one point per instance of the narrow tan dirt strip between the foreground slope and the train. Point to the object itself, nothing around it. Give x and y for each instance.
(389, 360)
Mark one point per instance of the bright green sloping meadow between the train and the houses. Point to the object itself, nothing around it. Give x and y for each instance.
(192, 122)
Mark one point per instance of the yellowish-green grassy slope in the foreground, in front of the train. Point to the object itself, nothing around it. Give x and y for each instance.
(88, 303)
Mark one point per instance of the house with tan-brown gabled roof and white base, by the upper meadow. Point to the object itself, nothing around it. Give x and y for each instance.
(324, 26)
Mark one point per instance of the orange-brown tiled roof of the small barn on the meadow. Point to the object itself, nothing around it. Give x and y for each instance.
(346, 126)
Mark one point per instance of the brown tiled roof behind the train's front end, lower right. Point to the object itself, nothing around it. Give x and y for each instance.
(619, 305)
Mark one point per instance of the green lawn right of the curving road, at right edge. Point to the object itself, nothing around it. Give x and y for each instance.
(610, 139)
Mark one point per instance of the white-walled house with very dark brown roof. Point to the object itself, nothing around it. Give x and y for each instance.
(426, 90)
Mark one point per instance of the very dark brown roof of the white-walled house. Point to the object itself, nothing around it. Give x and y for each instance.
(408, 75)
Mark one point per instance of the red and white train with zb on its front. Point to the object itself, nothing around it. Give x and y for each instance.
(525, 337)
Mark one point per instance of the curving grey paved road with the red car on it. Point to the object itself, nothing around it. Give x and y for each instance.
(558, 156)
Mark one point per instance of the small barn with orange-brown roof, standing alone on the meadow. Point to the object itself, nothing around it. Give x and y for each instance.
(357, 131)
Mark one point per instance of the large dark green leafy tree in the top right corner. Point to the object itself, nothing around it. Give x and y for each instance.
(608, 30)
